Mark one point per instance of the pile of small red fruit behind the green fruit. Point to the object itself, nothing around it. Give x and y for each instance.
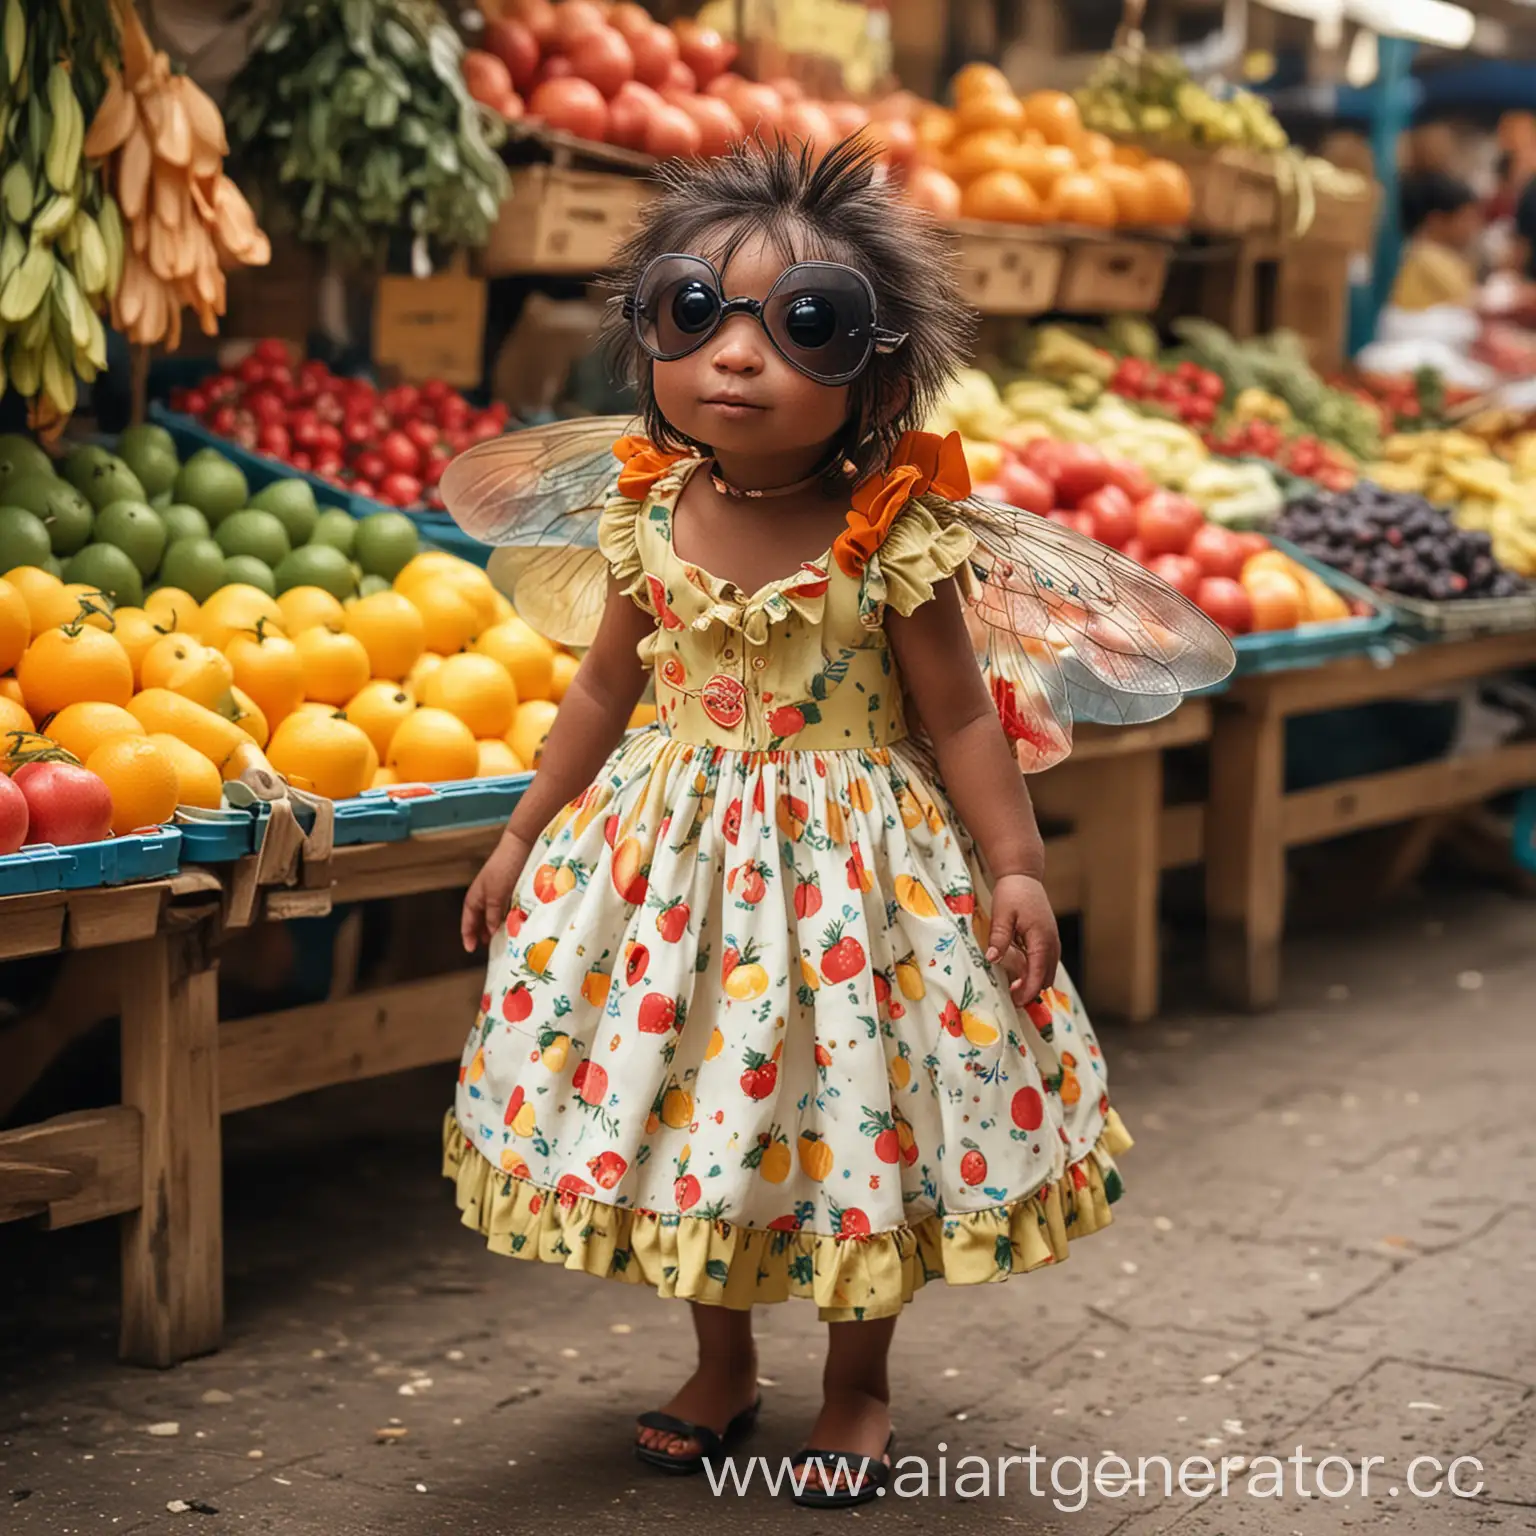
(389, 446)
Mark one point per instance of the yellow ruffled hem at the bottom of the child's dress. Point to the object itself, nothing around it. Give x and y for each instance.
(855, 1277)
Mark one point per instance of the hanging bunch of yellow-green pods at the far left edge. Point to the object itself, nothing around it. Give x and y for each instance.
(61, 237)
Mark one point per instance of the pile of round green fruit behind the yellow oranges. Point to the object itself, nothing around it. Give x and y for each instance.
(122, 525)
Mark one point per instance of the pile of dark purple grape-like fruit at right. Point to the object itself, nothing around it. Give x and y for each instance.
(1399, 543)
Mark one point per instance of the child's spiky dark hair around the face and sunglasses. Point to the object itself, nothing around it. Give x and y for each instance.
(836, 210)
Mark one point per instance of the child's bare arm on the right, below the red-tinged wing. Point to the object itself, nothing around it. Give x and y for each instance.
(936, 658)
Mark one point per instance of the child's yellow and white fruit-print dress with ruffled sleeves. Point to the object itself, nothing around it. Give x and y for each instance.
(740, 1041)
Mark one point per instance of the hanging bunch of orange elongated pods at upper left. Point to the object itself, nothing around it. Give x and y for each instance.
(164, 144)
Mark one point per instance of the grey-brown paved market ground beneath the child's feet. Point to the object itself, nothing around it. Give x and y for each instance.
(1328, 1243)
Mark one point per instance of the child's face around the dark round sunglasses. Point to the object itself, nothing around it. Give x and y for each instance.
(737, 394)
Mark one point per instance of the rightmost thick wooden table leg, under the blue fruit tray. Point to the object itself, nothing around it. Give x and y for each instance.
(1246, 856)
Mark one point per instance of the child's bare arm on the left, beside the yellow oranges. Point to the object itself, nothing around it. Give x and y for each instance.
(592, 718)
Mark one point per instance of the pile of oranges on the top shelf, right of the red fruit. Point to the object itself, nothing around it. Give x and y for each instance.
(1033, 162)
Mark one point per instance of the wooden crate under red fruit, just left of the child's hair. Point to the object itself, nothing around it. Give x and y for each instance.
(560, 220)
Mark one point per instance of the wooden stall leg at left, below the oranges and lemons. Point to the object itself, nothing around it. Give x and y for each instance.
(174, 1243)
